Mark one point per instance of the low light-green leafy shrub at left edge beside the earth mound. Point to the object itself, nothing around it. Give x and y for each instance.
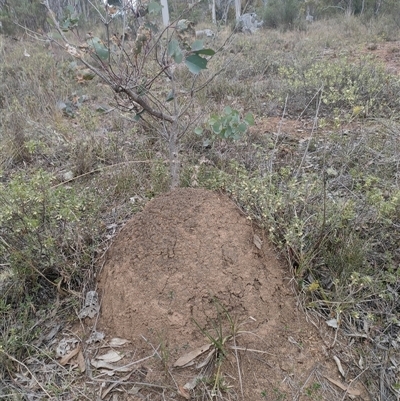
(46, 236)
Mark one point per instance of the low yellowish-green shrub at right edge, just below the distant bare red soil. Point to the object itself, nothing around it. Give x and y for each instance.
(358, 88)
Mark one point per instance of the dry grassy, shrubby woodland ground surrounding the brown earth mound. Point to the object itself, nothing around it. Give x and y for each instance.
(319, 171)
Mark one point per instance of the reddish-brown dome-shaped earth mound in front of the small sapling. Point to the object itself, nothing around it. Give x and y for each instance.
(191, 256)
